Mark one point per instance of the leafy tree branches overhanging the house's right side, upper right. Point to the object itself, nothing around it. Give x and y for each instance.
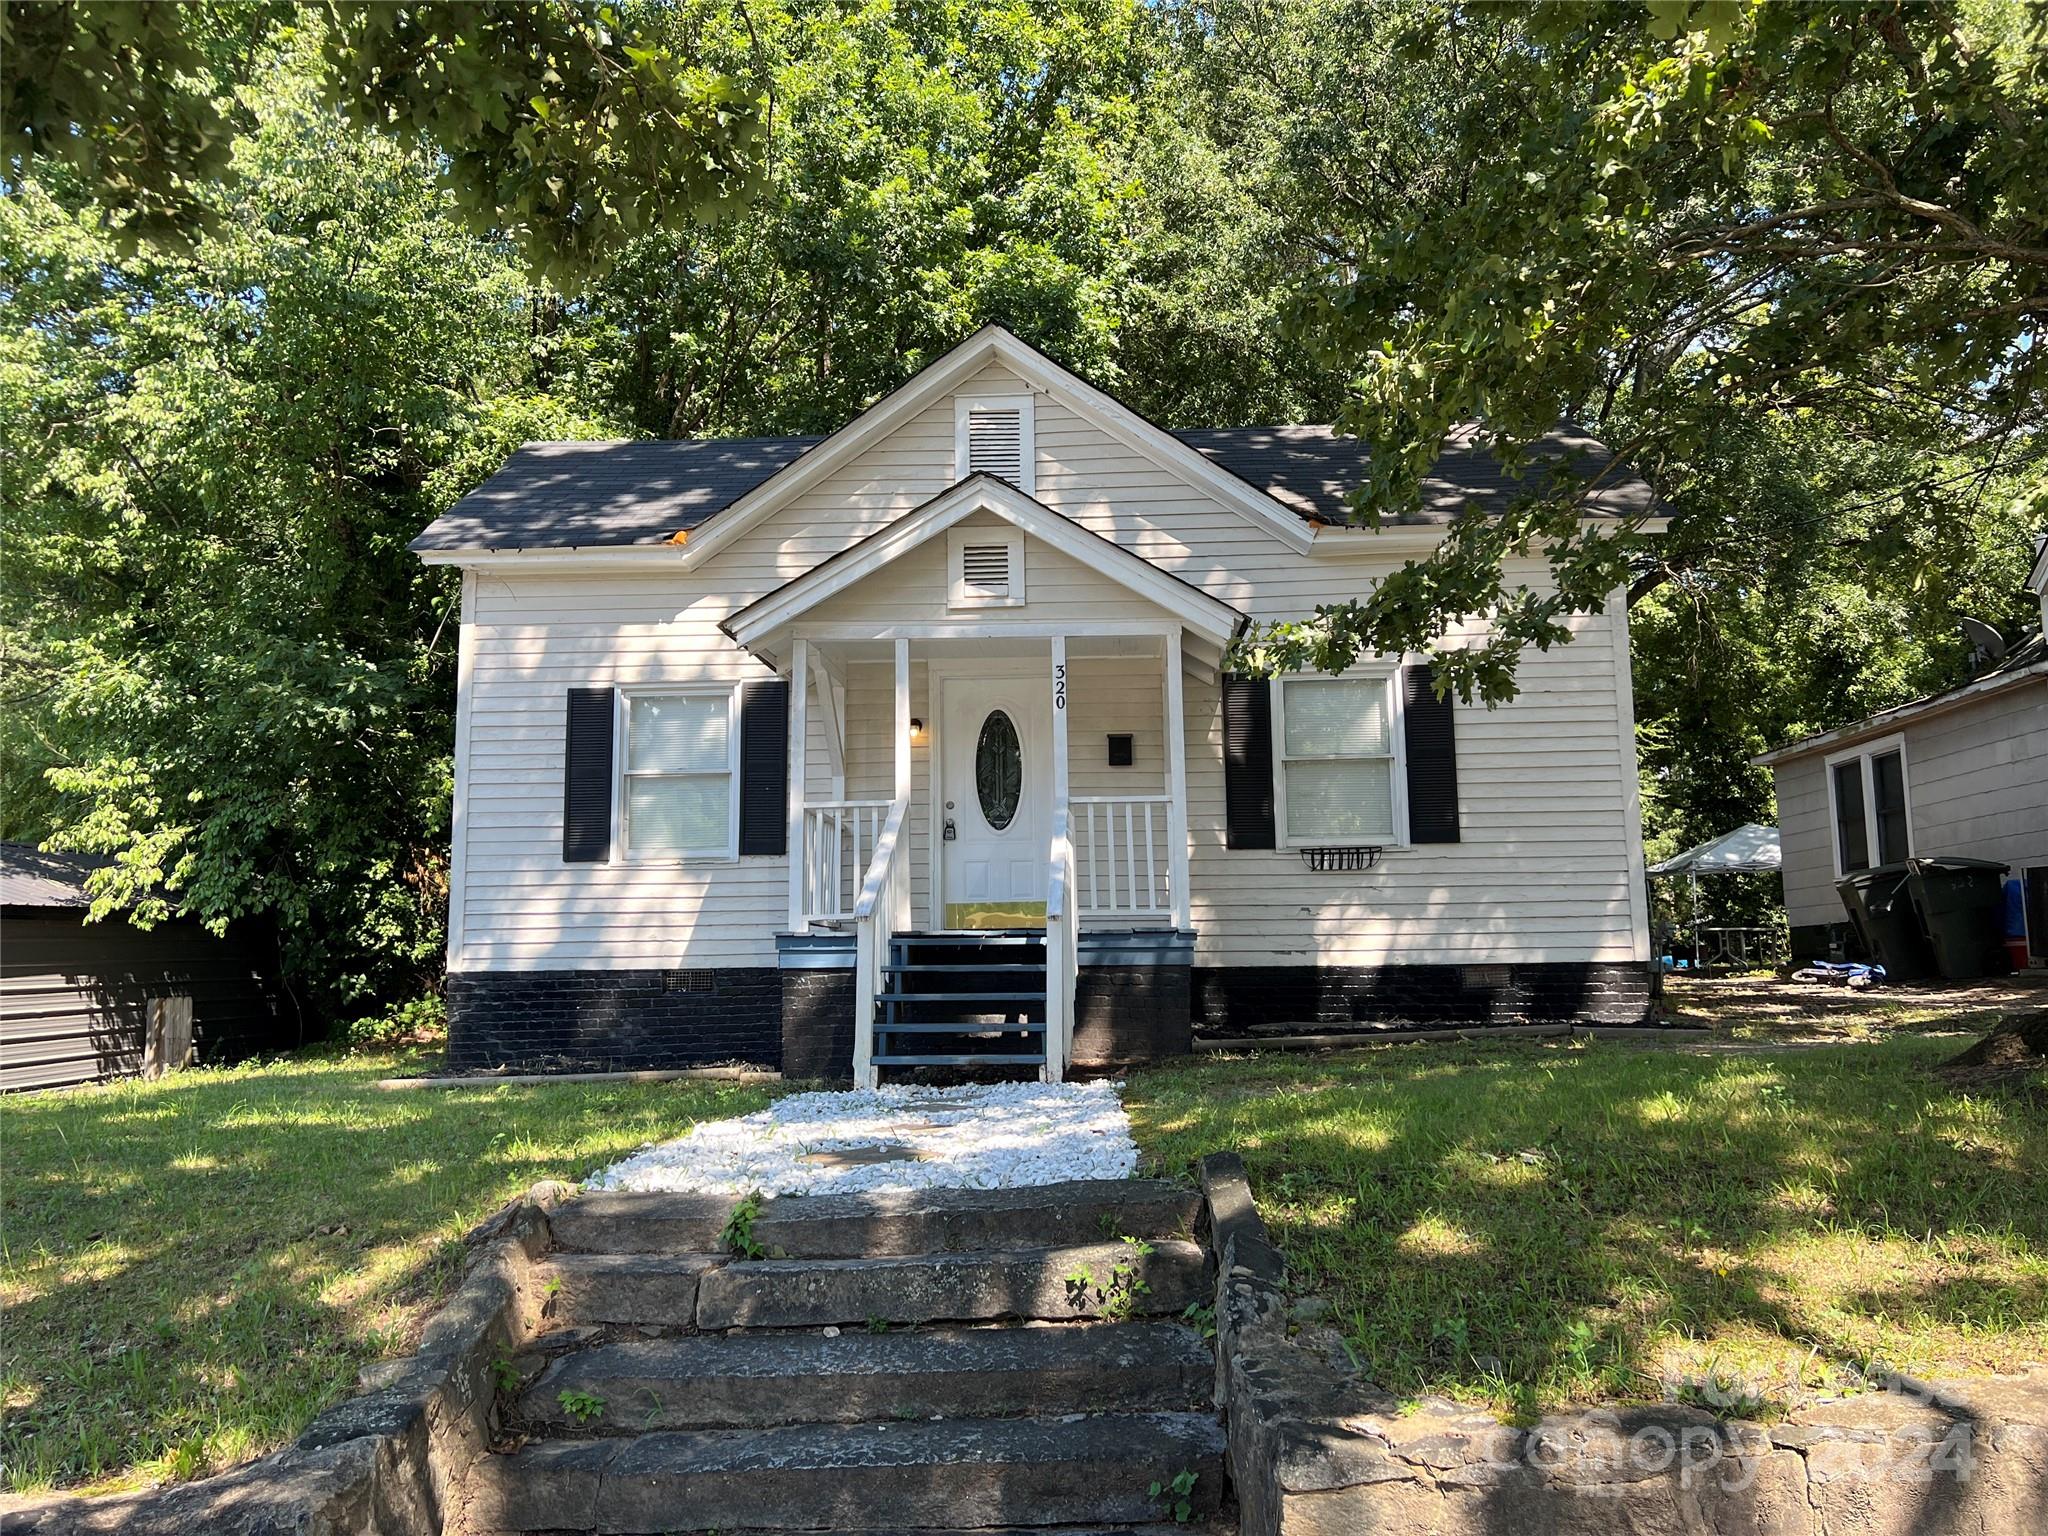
(1676, 218)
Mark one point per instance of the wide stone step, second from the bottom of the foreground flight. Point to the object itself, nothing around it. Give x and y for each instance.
(962, 1373)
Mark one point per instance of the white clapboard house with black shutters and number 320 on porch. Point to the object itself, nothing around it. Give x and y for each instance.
(812, 751)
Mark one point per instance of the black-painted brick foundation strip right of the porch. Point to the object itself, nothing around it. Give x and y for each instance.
(1334, 998)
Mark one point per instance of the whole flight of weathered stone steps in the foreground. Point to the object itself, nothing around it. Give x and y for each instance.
(945, 1361)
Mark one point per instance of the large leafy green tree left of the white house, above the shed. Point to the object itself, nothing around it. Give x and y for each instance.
(224, 667)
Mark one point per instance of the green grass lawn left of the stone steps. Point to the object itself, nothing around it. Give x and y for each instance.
(194, 1269)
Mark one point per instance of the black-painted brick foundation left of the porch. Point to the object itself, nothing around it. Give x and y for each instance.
(613, 1021)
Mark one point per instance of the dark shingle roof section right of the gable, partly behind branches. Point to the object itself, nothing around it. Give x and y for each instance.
(1312, 470)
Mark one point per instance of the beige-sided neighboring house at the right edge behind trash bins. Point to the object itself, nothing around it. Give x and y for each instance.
(1957, 773)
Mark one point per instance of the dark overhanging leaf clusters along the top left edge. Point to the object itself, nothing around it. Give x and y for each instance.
(562, 122)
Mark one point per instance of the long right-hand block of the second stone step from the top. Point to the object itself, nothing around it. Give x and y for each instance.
(1050, 1283)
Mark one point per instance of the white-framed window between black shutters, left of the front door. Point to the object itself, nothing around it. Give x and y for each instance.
(679, 769)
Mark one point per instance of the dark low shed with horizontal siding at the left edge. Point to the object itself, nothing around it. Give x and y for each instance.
(83, 1000)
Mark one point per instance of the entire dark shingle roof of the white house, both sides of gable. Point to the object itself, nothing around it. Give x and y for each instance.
(583, 495)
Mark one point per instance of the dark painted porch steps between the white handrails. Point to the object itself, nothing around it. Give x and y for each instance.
(964, 1002)
